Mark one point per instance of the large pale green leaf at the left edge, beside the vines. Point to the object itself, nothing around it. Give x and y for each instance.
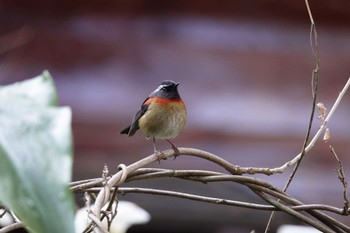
(36, 155)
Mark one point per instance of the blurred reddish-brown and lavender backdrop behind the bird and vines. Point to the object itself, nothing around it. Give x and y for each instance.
(244, 69)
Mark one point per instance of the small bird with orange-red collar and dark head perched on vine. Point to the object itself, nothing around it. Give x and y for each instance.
(162, 115)
